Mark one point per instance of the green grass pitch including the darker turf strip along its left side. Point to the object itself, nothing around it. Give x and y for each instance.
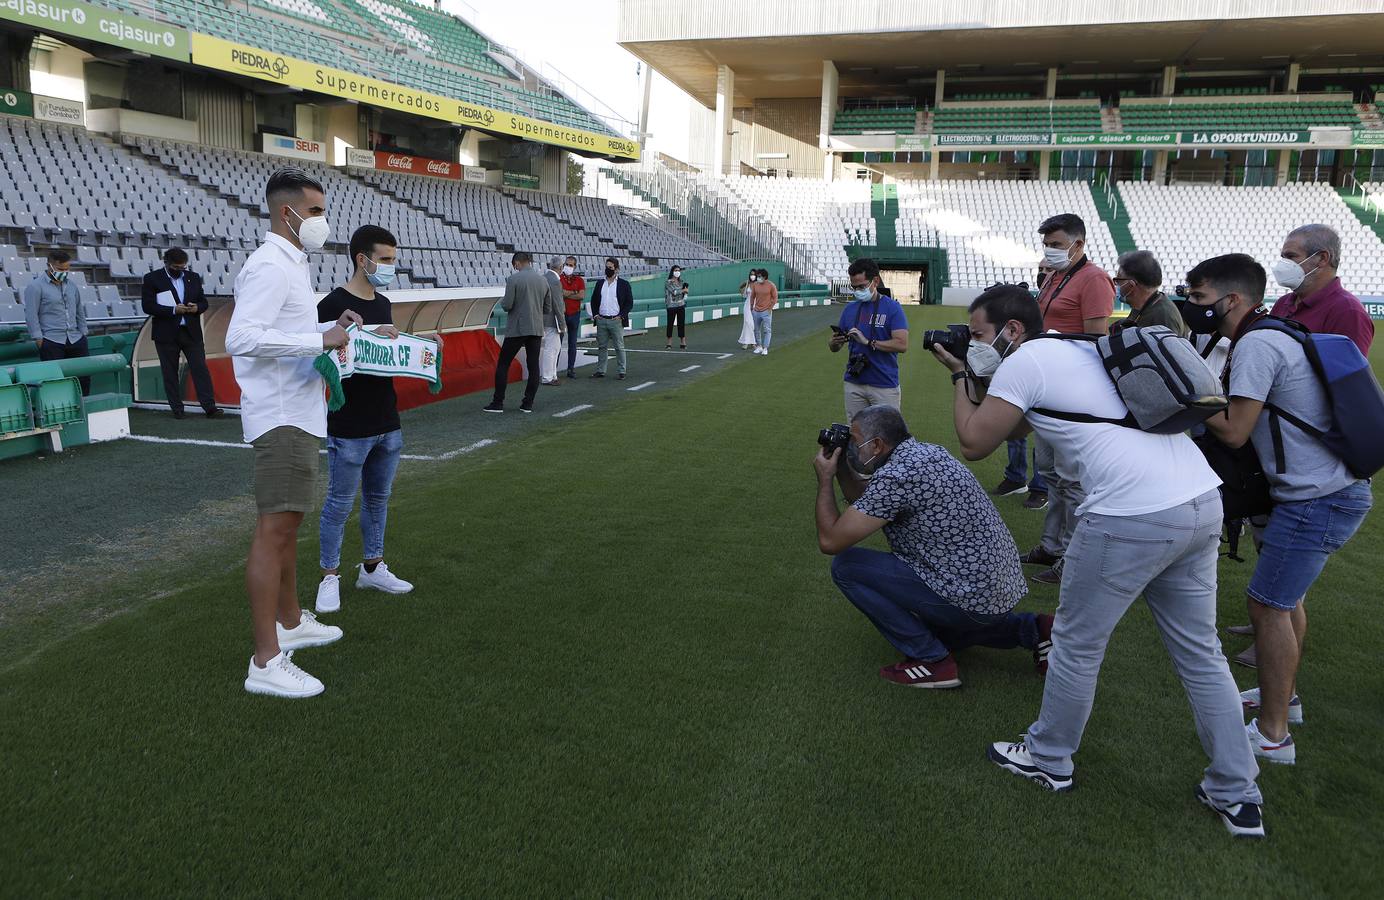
(625, 672)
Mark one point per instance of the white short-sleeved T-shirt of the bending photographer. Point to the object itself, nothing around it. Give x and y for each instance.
(1124, 471)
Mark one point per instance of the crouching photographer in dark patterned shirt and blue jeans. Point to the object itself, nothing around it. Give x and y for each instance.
(951, 578)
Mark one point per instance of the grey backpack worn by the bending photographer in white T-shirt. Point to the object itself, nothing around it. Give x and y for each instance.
(1158, 375)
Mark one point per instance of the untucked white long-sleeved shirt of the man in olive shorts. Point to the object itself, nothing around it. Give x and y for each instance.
(273, 340)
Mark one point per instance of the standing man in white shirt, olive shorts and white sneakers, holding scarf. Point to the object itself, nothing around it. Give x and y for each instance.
(273, 340)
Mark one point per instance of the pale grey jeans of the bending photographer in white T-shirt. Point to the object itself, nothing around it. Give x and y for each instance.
(1172, 559)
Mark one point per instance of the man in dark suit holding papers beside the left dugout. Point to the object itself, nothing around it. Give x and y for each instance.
(175, 300)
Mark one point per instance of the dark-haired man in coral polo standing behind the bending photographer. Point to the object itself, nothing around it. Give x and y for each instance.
(1077, 298)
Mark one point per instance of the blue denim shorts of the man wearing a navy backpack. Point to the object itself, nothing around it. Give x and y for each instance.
(1300, 538)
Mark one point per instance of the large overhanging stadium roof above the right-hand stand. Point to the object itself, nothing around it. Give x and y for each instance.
(777, 46)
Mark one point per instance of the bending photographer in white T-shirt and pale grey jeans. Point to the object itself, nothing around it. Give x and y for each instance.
(1151, 524)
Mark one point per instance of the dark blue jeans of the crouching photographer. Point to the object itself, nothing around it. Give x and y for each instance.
(913, 618)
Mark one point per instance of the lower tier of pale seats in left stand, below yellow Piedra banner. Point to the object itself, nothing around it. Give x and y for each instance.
(118, 206)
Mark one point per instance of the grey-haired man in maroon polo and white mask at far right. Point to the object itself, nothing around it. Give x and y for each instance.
(1307, 268)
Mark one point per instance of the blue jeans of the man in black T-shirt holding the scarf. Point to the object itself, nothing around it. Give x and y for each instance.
(365, 465)
